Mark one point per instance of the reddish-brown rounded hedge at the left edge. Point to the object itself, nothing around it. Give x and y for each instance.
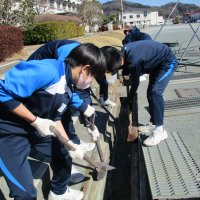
(11, 41)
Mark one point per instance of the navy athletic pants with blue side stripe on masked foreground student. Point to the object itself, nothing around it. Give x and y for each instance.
(15, 148)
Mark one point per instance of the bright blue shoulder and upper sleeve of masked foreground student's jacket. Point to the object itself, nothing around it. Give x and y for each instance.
(21, 81)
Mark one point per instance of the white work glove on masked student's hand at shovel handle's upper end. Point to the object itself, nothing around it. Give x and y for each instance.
(42, 126)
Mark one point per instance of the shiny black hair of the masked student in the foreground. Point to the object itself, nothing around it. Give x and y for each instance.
(88, 54)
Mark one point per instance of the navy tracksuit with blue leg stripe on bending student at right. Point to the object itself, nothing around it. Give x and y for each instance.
(157, 60)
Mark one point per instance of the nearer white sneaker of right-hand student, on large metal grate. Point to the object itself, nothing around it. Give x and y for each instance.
(155, 138)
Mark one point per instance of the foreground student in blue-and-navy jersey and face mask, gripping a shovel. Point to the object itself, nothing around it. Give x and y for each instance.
(33, 96)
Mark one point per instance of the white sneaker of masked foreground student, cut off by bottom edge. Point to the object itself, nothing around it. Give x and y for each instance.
(70, 194)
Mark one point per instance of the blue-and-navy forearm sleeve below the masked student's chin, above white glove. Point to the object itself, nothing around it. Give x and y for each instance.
(78, 103)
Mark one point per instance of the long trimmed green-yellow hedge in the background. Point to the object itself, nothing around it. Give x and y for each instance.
(46, 31)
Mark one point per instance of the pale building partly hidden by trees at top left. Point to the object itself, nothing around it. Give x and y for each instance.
(53, 6)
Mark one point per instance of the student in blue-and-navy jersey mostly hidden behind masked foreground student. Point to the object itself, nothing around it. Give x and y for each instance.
(60, 49)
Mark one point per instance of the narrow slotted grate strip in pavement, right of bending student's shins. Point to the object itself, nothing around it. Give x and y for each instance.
(182, 103)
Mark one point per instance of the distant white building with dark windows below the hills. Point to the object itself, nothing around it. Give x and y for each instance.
(141, 17)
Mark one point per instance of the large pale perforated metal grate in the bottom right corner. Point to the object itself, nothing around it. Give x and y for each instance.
(171, 170)
